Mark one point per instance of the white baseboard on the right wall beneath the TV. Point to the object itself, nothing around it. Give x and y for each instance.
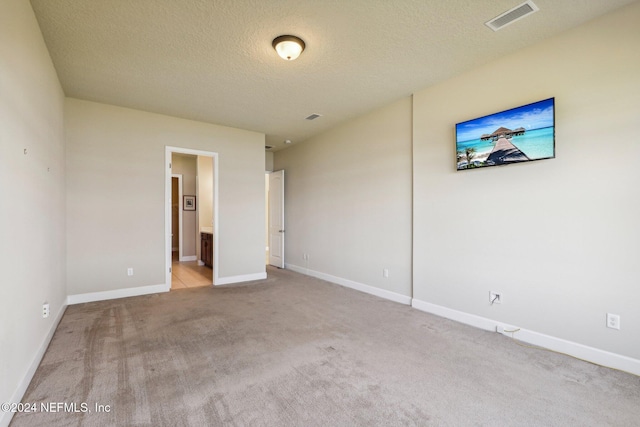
(591, 354)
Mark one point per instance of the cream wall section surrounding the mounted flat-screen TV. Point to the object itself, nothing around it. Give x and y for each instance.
(559, 238)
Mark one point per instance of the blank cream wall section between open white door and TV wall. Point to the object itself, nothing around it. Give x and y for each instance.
(348, 200)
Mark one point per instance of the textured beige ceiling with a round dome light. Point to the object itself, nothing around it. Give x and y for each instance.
(212, 60)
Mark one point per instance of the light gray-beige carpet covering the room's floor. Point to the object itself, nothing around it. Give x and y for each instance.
(297, 351)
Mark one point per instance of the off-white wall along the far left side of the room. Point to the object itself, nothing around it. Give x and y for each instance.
(32, 230)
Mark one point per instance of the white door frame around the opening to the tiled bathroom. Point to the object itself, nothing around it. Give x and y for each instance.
(169, 150)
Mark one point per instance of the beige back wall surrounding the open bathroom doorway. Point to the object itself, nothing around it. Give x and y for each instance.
(116, 195)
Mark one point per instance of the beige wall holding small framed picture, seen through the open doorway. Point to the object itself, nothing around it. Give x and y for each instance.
(186, 165)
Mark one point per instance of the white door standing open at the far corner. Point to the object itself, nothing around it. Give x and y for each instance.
(276, 218)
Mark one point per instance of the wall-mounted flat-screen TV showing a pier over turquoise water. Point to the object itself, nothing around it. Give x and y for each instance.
(521, 134)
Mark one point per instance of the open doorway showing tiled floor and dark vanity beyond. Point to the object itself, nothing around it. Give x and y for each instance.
(191, 206)
